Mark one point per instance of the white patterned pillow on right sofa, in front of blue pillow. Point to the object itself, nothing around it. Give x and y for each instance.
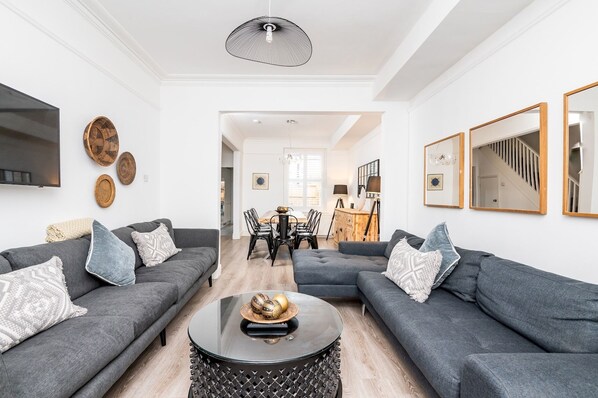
(412, 270)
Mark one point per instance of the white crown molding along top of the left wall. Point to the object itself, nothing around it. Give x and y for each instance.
(106, 24)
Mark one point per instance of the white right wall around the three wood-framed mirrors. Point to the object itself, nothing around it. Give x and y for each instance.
(536, 66)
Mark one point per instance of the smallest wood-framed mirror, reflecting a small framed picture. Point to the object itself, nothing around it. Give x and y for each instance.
(443, 172)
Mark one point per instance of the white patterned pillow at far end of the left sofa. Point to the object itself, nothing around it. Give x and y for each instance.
(155, 247)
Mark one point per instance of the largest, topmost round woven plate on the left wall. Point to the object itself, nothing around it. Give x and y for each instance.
(101, 141)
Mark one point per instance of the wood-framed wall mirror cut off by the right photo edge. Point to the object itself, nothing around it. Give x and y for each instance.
(580, 163)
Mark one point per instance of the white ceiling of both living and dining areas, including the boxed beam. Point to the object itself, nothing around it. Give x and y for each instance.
(399, 45)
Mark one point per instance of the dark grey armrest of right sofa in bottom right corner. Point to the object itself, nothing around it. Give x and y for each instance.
(530, 375)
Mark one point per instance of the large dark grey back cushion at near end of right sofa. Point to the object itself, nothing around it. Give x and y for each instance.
(557, 313)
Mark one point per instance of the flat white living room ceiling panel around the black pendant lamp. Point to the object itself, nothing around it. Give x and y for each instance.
(186, 37)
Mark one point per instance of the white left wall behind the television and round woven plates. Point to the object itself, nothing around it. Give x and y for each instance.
(51, 52)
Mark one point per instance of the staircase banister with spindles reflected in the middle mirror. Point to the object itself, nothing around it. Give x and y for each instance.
(521, 158)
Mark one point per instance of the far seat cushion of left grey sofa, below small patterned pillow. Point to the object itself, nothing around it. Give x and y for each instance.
(180, 273)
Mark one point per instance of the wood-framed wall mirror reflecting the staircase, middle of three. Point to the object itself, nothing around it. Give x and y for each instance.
(508, 162)
